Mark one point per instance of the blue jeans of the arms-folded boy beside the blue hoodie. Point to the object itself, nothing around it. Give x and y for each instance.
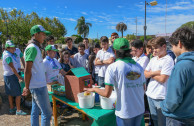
(158, 118)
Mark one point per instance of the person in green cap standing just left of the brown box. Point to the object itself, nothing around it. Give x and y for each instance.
(52, 66)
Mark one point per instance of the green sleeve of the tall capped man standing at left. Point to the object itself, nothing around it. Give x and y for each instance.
(30, 54)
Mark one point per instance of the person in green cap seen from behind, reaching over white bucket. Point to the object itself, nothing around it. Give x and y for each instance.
(128, 79)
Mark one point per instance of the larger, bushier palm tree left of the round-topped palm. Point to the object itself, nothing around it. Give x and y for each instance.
(82, 27)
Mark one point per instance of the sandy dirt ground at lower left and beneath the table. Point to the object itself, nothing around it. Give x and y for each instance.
(69, 118)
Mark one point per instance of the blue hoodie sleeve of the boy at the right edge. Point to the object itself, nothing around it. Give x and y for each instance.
(176, 88)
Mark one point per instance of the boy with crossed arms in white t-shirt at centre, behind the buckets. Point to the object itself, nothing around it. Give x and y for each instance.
(104, 57)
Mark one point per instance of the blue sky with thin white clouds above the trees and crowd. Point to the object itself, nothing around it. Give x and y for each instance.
(105, 14)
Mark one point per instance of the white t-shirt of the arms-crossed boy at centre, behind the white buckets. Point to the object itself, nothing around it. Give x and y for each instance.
(104, 55)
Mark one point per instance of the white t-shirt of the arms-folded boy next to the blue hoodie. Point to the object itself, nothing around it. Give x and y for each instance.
(156, 90)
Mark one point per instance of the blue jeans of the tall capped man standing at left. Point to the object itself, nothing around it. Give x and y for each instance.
(40, 102)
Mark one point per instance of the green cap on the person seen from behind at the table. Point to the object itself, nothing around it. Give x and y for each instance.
(121, 44)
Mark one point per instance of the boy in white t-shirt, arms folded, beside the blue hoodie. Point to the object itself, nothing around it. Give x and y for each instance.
(159, 70)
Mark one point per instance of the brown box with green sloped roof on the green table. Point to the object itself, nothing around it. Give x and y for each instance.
(76, 80)
